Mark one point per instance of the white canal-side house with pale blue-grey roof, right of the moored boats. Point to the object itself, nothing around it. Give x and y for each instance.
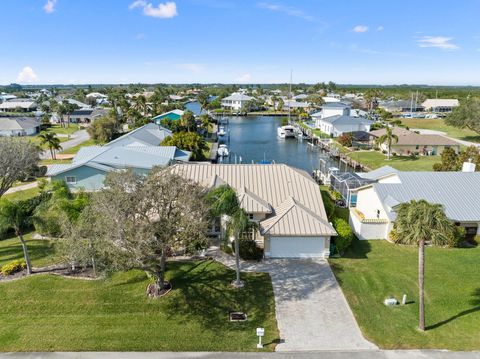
(336, 125)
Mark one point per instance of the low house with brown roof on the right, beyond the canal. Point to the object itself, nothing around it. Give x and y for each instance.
(411, 142)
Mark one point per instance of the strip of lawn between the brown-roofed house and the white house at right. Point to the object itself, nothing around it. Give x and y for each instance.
(375, 159)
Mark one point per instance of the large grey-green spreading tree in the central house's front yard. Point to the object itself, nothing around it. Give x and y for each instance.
(145, 219)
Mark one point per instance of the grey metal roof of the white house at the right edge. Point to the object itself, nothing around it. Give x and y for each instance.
(458, 192)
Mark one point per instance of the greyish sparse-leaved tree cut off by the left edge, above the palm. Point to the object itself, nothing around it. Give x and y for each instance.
(19, 160)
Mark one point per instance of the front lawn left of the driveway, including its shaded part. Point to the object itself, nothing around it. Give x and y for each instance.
(51, 313)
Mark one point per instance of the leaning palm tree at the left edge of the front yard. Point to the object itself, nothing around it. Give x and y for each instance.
(13, 215)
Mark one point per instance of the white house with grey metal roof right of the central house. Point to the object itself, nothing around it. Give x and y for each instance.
(377, 203)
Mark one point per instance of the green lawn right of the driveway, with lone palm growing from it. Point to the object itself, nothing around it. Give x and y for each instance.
(374, 270)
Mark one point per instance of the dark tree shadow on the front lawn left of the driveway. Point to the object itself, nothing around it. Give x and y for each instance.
(204, 294)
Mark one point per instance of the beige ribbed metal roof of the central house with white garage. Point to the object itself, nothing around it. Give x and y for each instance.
(292, 194)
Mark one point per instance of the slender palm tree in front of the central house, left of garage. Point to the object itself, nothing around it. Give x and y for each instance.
(224, 202)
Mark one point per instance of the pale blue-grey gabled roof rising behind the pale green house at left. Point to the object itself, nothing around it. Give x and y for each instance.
(147, 135)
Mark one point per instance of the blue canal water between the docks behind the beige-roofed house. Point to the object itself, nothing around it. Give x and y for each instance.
(254, 139)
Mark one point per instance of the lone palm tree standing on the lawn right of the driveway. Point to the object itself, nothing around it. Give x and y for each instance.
(419, 223)
